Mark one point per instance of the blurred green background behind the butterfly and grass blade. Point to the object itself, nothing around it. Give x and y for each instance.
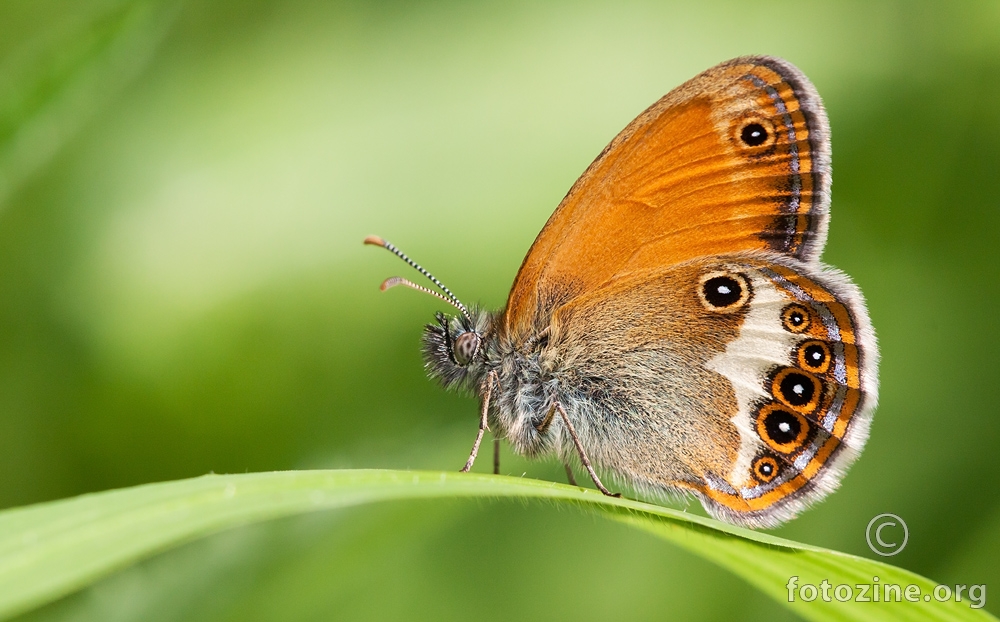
(184, 190)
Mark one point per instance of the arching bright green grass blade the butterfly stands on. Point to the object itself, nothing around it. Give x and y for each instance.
(51, 549)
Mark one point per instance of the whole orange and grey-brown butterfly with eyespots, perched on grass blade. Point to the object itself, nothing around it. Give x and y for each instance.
(672, 325)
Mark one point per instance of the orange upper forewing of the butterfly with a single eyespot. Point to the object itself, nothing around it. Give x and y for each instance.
(736, 159)
